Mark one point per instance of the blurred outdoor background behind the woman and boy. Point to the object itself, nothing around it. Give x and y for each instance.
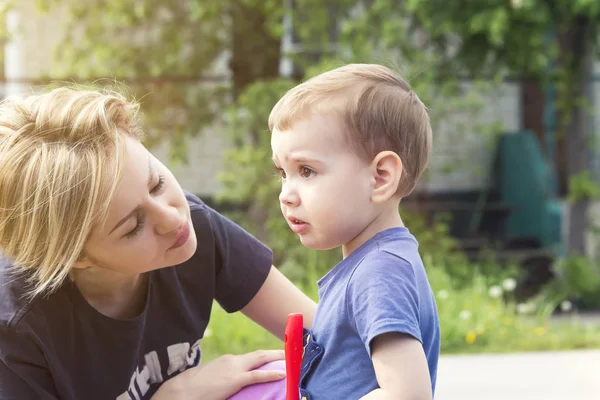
(508, 214)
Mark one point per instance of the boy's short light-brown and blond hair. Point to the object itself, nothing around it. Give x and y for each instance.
(379, 109)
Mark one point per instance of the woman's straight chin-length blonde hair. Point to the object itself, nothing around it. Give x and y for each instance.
(60, 163)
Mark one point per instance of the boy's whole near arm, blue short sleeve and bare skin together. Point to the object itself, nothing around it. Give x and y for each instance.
(383, 298)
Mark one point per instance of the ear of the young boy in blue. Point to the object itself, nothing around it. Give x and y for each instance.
(387, 171)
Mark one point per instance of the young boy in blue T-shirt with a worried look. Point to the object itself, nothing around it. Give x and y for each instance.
(350, 144)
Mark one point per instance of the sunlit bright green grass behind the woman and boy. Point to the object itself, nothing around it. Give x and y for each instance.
(493, 328)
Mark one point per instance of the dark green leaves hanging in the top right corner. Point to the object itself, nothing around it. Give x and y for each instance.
(512, 34)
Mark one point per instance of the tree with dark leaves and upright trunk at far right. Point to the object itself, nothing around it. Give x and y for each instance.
(525, 37)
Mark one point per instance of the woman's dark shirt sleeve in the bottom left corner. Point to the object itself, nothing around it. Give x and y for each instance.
(23, 371)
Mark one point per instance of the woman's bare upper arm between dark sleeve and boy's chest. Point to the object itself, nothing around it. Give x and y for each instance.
(276, 299)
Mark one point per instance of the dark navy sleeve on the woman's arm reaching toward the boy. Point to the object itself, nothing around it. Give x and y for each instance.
(242, 262)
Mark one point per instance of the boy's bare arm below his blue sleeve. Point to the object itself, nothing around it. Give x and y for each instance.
(401, 368)
